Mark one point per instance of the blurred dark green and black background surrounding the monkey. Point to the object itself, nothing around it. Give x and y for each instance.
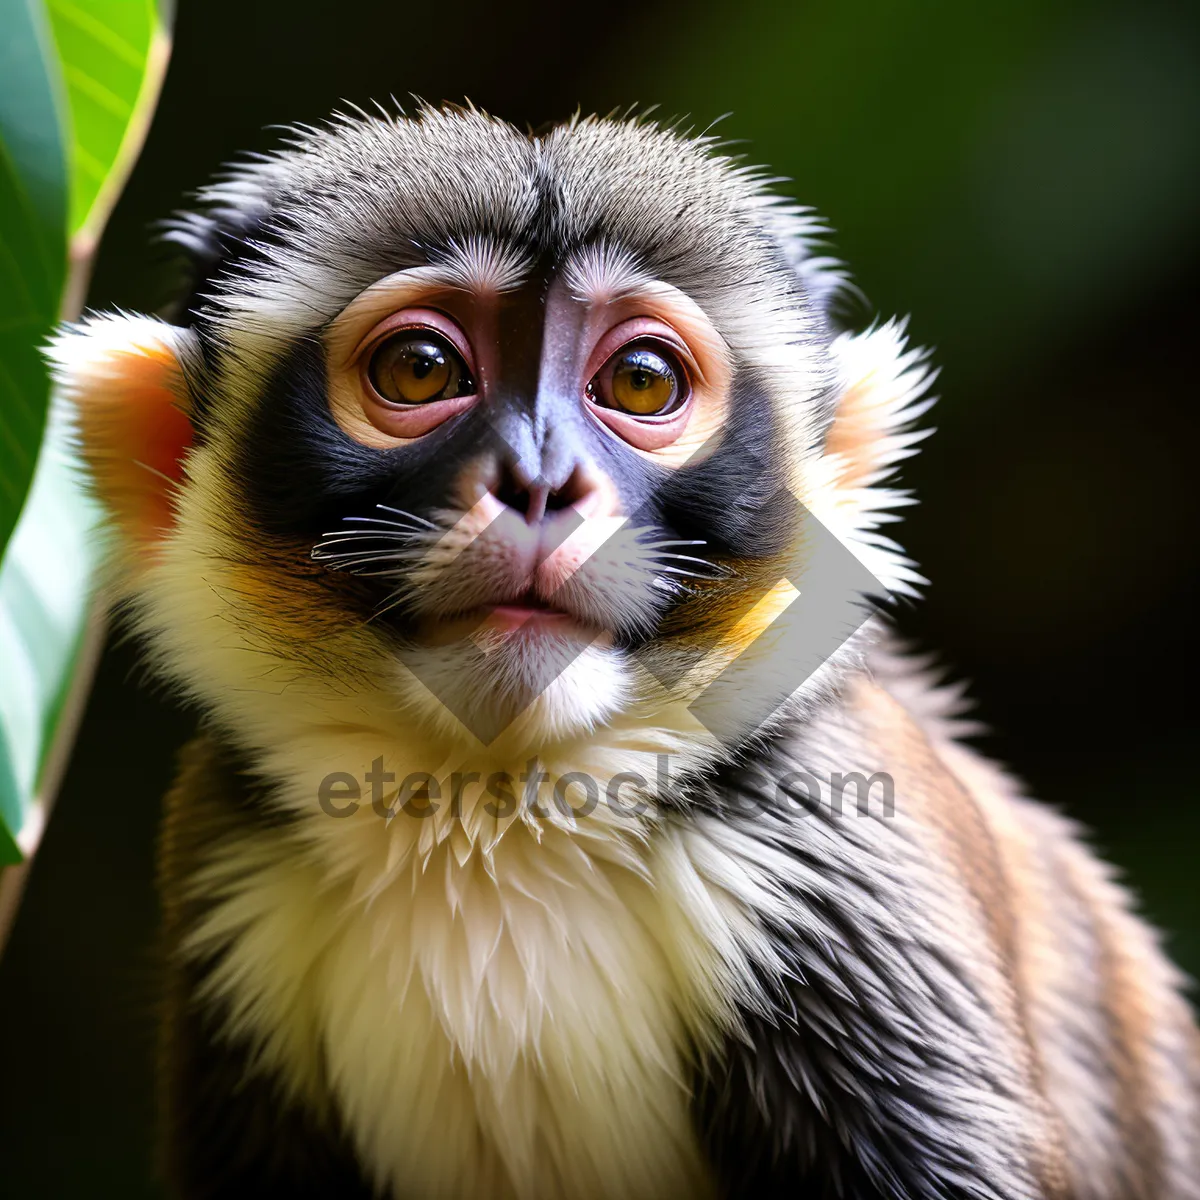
(1022, 177)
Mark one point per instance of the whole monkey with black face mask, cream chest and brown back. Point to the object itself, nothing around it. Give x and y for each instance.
(565, 819)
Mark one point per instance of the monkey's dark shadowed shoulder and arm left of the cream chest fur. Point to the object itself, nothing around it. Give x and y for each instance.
(227, 1130)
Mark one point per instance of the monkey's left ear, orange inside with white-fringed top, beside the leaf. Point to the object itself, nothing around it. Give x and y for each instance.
(127, 380)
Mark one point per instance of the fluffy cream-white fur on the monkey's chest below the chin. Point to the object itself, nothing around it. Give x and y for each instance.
(495, 1016)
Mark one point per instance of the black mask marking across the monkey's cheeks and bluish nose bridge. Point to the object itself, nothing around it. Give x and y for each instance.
(303, 476)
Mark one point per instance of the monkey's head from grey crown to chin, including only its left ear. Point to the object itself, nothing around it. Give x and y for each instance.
(503, 436)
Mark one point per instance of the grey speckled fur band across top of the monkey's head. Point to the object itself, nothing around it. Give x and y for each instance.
(293, 236)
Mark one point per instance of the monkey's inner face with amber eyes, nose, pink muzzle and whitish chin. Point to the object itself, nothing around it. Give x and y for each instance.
(533, 440)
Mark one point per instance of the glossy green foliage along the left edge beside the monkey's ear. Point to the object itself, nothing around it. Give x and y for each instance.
(79, 82)
